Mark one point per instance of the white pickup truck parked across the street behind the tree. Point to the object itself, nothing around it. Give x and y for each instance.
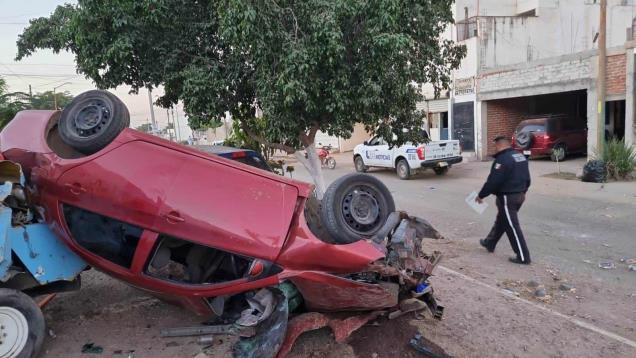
(408, 158)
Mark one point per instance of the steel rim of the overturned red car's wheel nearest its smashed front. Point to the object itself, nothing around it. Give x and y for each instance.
(361, 209)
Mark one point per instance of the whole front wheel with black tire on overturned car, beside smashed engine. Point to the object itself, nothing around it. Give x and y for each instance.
(355, 207)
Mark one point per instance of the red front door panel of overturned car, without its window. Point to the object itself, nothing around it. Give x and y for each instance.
(227, 206)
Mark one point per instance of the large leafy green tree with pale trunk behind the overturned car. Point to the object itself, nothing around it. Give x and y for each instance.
(309, 65)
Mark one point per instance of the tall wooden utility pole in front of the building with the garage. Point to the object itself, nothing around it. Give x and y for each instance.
(601, 80)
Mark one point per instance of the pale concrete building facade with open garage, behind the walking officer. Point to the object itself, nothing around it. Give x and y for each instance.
(538, 57)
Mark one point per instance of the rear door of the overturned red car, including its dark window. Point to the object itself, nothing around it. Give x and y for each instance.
(108, 201)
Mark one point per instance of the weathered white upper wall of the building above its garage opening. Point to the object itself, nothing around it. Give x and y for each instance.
(509, 35)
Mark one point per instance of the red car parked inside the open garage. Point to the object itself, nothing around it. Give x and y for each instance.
(553, 135)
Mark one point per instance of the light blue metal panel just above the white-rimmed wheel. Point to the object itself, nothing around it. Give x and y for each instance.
(44, 254)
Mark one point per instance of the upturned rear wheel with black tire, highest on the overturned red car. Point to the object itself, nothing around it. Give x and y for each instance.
(92, 121)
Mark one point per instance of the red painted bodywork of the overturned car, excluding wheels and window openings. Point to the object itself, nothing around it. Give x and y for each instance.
(170, 190)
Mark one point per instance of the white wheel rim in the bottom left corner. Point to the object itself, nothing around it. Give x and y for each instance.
(14, 332)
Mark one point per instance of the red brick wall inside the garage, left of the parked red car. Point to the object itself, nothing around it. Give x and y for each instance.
(503, 117)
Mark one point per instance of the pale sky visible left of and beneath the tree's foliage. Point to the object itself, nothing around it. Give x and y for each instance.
(45, 70)
